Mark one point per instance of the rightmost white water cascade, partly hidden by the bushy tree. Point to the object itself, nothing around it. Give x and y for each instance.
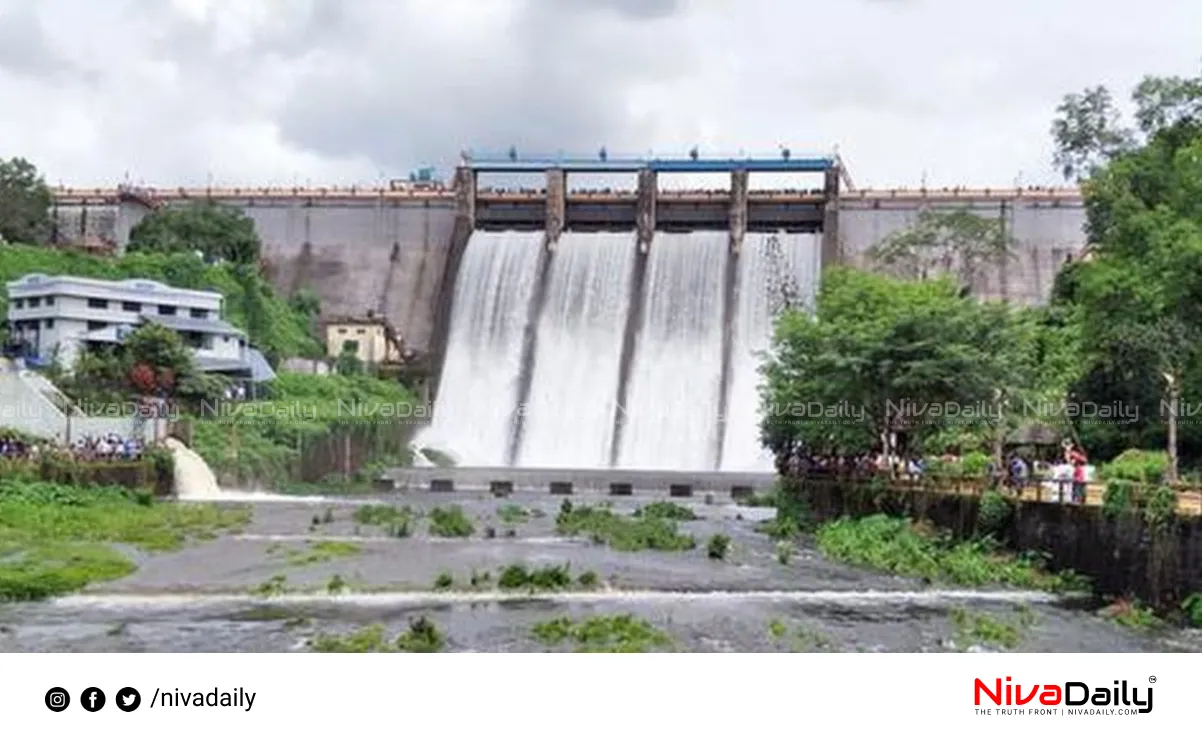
(773, 269)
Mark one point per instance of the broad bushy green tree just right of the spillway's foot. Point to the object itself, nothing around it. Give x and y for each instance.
(885, 356)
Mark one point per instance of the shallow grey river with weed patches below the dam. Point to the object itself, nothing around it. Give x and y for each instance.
(201, 599)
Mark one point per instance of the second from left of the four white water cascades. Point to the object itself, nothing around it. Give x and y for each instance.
(574, 388)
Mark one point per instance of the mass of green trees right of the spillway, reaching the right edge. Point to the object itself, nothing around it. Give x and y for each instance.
(1112, 361)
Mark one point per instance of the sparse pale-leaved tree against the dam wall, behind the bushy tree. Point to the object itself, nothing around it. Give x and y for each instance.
(955, 243)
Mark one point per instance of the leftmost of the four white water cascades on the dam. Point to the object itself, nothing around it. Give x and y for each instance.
(473, 417)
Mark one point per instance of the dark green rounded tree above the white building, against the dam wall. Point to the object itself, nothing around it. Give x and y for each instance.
(216, 231)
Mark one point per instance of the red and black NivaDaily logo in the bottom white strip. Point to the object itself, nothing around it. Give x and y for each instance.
(1069, 698)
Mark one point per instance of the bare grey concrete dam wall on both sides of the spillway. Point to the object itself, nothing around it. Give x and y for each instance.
(390, 254)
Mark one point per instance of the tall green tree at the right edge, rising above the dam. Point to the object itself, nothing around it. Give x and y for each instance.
(1136, 300)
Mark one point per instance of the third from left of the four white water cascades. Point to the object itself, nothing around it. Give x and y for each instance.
(673, 406)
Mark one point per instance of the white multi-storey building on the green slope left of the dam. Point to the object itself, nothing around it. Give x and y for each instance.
(59, 317)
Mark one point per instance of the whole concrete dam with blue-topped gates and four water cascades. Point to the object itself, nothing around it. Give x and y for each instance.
(594, 329)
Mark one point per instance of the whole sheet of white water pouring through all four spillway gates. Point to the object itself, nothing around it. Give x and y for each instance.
(590, 354)
